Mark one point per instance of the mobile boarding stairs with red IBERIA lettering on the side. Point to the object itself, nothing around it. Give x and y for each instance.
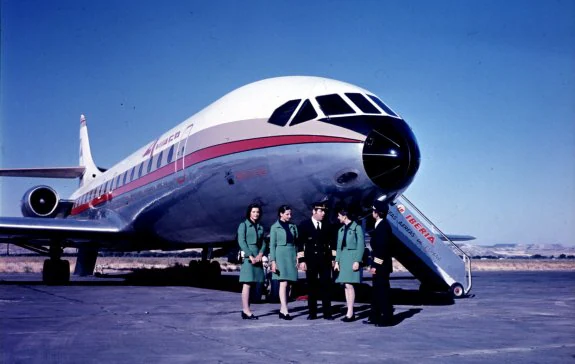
(426, 252)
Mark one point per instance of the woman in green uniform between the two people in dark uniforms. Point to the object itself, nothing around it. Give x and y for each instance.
(350, 247)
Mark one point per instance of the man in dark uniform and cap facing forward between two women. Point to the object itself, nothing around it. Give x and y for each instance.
(316, 252)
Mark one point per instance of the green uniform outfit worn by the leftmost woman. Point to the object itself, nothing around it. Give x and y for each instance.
(251, 241)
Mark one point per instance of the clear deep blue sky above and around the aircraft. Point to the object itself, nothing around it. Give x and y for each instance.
(487, 86)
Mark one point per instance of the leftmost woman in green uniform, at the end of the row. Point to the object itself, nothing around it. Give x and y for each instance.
(252, 243)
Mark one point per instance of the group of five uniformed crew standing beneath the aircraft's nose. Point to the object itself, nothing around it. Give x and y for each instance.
(313, 248)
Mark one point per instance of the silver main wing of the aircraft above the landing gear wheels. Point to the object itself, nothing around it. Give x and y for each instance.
(37, 231)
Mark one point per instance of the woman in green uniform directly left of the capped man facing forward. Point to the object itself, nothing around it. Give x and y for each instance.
(283, 236)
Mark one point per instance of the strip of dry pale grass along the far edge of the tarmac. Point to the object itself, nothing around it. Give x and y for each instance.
(24, 264)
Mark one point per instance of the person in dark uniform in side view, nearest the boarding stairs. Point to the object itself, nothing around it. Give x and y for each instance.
(381, 266)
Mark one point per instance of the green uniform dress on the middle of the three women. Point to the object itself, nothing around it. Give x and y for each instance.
(283, 251)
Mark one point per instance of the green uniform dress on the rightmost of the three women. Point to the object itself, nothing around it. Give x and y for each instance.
(352, 252)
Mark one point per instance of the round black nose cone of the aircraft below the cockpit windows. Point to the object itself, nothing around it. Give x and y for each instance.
(391, 155)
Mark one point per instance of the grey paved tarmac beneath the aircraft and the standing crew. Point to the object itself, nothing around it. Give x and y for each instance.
(511, 317)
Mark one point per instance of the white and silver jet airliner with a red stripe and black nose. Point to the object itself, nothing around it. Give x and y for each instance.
(282, 140)
